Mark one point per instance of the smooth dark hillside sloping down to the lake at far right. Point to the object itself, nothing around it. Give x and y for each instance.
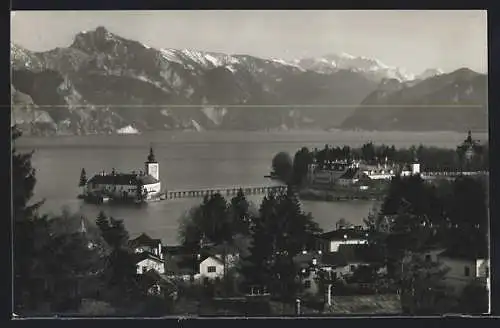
(456, 101)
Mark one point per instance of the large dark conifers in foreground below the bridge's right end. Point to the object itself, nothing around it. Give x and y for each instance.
(281, 231)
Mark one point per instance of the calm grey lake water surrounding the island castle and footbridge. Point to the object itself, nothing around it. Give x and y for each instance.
(194, 160)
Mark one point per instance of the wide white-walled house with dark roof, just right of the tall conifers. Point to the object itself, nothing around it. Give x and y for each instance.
(330, 241)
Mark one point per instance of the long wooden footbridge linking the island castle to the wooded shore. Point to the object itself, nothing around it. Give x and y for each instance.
(224, 191)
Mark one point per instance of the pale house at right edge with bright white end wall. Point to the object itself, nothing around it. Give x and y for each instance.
(464, 266)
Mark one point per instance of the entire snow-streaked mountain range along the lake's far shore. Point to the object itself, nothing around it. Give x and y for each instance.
(104, 83)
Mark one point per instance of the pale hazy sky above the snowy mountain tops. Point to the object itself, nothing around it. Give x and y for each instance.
(414, 40)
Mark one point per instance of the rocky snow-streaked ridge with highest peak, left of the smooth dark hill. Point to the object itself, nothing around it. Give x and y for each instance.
(102, 83)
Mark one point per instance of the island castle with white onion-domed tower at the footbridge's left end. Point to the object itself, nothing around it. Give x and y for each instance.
(133, 186)
